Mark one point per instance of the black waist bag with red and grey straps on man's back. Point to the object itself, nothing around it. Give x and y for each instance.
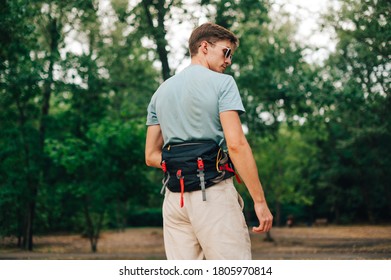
(191, 166)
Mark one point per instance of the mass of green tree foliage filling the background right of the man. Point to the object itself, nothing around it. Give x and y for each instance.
(332, 158)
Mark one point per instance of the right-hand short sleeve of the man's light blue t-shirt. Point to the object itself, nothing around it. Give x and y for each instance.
(229, 98)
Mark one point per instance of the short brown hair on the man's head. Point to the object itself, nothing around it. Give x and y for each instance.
(212, 33)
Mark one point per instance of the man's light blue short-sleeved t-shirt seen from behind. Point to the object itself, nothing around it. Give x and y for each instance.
(187, 106)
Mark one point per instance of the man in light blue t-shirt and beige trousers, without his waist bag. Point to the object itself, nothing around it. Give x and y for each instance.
(202, 103)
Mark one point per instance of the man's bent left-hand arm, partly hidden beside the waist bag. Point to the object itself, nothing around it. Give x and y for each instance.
(153, 146)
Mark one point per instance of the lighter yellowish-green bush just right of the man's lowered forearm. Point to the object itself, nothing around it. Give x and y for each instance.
(286, 164)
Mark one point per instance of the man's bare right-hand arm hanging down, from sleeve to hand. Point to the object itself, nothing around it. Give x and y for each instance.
(243, 159)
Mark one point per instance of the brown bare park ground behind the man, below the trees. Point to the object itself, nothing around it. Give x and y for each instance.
(296, 243)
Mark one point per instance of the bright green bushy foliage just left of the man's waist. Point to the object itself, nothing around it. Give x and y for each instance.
(105, 168)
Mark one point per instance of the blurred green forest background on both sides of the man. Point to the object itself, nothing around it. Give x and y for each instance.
(72, 119)
